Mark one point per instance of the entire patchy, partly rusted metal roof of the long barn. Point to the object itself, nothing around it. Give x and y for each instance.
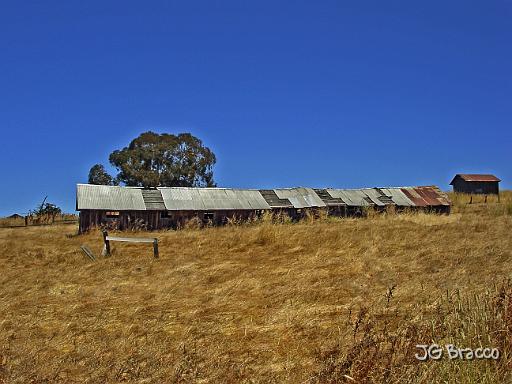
(116, 198)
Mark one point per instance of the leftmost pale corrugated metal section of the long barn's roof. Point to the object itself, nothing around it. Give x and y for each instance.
(106, 197)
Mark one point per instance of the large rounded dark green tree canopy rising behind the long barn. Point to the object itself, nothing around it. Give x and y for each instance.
(154, 159)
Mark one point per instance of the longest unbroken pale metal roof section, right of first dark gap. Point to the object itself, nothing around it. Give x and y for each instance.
(206, 199)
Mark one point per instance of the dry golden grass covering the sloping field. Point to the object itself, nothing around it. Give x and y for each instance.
(317, 301)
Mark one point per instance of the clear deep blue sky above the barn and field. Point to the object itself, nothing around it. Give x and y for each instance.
(295, 93)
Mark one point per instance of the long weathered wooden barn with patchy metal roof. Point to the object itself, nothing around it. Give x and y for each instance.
(166, 207)
